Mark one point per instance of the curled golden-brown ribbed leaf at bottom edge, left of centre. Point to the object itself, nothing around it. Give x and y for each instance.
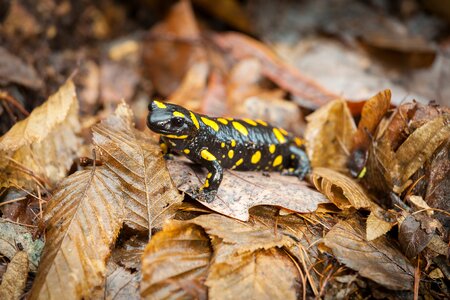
(175, 263)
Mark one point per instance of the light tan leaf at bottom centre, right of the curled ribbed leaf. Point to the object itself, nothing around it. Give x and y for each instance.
(263, 274)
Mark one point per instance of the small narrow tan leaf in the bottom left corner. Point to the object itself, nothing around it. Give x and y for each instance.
(15, 277)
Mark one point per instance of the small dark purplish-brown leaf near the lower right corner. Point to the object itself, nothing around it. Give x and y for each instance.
(413, 239)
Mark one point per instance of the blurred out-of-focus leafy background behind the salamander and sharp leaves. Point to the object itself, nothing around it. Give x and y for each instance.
(289, 57)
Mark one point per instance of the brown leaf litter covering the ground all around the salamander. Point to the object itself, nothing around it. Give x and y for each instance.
(371, 220)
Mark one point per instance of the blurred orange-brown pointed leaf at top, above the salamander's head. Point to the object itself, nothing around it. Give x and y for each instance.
(172, 47)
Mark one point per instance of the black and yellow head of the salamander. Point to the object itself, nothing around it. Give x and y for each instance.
(171, 120)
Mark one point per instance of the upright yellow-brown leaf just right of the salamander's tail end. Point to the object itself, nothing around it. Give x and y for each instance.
(329, 135)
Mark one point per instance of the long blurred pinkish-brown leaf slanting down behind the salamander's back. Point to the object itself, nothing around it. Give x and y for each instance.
(284, 75)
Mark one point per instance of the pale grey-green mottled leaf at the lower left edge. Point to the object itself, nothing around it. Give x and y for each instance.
(12, 234)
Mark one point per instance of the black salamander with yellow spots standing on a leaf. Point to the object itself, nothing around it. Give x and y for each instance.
(226, 143)
